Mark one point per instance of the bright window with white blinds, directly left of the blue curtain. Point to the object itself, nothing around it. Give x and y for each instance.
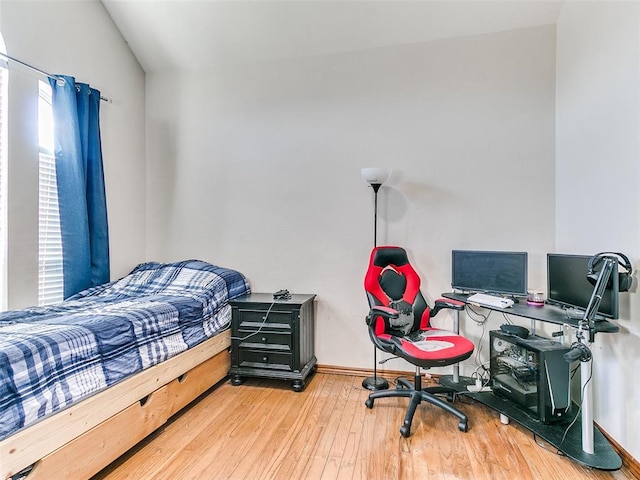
(50, 274)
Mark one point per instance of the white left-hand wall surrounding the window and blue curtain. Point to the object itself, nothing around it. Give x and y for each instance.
(77, 39)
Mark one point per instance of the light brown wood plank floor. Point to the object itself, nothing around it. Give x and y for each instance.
(264, 430)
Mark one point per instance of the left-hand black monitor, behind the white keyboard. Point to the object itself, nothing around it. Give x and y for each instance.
(490, 272)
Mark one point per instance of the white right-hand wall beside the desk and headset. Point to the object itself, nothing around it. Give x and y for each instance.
(598, 170)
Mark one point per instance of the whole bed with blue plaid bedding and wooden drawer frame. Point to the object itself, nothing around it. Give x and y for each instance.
(84, 380)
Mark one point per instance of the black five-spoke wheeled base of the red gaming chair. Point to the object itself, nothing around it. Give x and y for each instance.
(418, 395)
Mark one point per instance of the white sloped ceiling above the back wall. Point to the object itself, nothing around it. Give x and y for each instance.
(190, 34)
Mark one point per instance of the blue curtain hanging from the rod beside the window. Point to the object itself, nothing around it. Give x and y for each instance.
(81, 192)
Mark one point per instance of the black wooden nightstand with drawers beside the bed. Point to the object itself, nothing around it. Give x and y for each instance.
(273, 338)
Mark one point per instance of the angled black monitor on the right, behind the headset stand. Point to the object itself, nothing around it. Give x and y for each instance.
(567, 284)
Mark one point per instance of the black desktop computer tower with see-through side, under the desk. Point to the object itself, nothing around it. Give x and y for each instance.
(532, 373)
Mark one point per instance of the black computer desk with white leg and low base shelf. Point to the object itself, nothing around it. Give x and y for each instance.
(568, 436)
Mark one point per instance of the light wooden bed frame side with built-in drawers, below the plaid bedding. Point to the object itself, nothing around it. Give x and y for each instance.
(81, 440)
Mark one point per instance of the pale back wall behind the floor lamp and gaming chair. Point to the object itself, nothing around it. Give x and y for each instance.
(257, 167)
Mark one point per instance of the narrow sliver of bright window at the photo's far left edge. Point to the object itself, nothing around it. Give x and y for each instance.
(4, 78)
